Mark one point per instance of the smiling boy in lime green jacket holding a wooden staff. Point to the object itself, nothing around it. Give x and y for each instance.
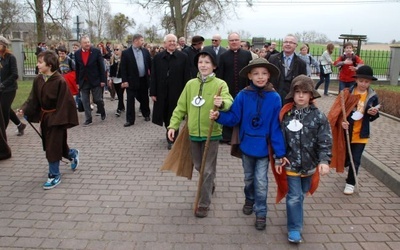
(195, 102)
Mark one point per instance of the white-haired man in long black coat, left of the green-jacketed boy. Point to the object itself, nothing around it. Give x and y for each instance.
(169, 74)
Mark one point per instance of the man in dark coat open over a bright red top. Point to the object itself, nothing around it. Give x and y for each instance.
(91, 78)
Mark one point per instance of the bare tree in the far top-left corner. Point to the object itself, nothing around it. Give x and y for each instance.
(10, 13)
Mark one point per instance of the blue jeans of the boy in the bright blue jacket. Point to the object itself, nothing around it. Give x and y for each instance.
(256, 182)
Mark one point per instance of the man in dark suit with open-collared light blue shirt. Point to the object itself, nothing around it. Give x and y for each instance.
(135, 69)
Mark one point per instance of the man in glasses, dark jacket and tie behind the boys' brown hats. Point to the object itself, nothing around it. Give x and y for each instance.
(289, 65)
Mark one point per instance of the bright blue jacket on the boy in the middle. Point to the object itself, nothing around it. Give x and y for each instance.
(256, 111)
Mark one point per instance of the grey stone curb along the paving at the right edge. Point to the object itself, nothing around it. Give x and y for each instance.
(387, 176)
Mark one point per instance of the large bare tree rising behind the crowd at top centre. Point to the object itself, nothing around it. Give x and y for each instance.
(185, 16)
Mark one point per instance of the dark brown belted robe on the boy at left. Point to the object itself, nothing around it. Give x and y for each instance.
(51, 103)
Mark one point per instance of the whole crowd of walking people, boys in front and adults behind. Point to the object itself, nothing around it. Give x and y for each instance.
(262, 102)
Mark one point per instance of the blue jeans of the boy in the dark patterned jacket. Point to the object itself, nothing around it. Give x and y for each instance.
(298, 186)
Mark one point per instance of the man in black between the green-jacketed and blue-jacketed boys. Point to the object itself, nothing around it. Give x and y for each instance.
(229, 66)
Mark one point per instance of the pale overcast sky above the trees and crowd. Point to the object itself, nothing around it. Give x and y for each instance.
(378, 19)
